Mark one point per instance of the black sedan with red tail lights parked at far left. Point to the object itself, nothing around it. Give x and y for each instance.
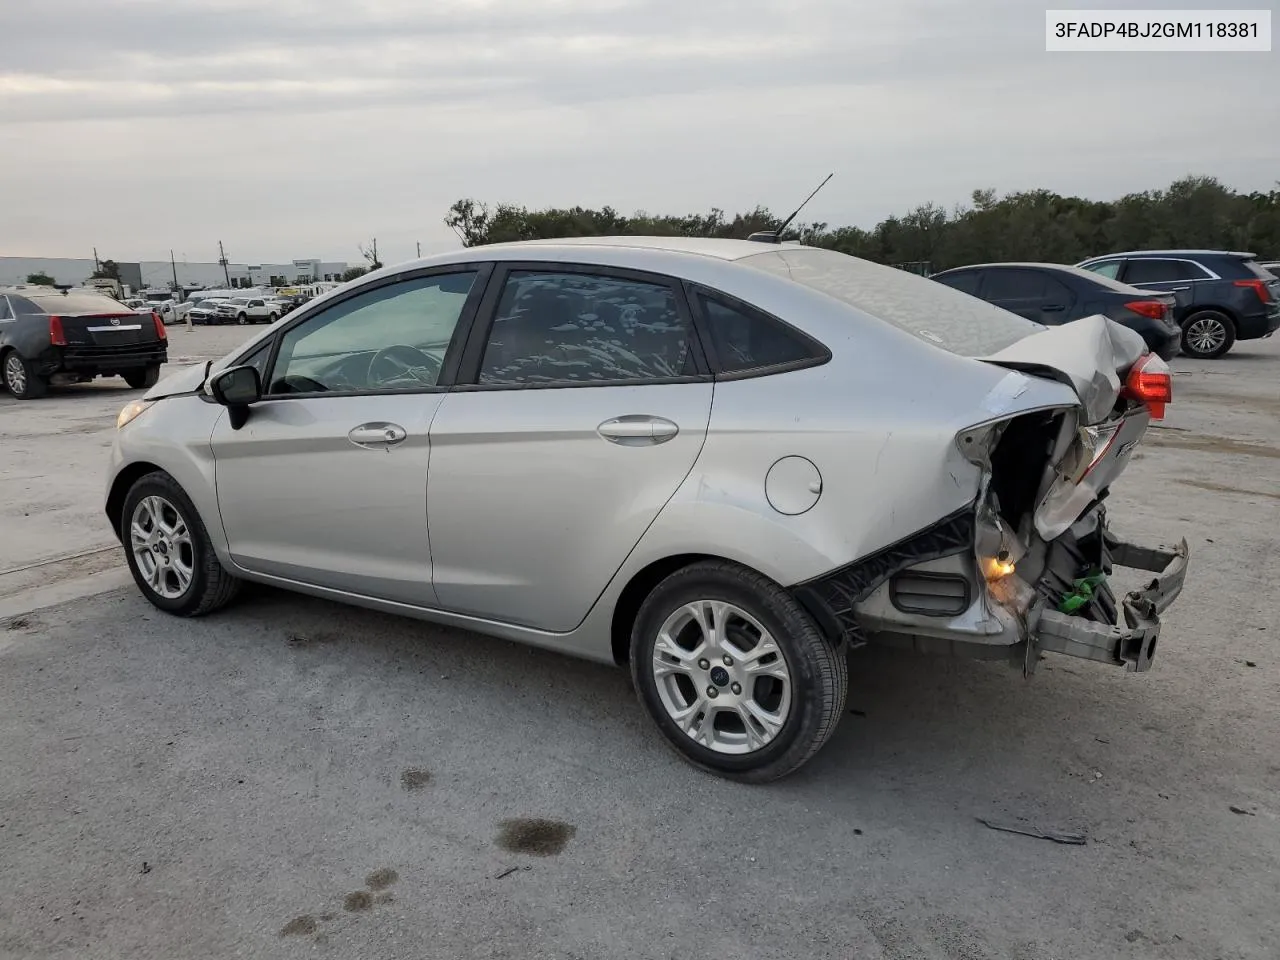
(51, 336)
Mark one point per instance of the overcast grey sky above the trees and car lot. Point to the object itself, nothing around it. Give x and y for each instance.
(298, 129)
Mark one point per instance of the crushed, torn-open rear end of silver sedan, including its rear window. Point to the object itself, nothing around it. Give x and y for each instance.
(1025, 566)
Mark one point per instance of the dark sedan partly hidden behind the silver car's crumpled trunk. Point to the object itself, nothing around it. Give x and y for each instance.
(1055, 294)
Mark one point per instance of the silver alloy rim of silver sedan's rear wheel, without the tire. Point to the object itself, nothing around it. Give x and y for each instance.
(723, 678)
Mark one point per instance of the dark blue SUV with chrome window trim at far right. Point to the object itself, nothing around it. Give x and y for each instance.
(1223, 296)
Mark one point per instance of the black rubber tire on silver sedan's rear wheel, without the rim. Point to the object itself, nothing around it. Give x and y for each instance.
(819, 671)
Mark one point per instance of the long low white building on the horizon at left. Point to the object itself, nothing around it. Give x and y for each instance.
(159, 275)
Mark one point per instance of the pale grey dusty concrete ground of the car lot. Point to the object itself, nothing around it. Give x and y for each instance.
(298, 779)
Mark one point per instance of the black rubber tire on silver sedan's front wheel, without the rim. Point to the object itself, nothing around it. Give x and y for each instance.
(212, 587)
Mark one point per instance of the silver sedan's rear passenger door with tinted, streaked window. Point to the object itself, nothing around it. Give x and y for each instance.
(586, 409)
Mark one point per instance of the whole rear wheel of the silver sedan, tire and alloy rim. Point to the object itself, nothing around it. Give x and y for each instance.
(735, 674)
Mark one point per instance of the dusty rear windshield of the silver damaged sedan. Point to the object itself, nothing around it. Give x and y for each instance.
(926, 309)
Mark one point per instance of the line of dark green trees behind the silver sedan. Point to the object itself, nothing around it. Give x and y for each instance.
(1032, 226)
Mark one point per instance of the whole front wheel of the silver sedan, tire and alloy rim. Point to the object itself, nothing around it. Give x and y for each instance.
(170, 552)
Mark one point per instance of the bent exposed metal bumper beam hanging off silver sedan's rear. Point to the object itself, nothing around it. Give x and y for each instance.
(1132, 644)
